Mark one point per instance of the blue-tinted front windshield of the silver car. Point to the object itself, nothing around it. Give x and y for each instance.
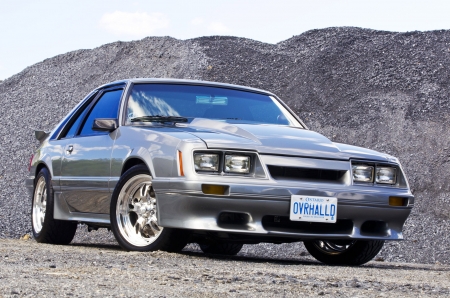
(155, 102)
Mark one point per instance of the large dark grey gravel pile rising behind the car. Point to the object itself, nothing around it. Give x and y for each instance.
(382, 90)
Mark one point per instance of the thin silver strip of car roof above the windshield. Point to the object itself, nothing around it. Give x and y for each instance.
(186, 82)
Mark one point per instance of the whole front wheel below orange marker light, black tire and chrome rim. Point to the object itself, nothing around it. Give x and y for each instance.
(133, 215)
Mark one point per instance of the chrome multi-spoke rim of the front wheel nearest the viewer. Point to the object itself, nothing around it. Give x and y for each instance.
(136, 211)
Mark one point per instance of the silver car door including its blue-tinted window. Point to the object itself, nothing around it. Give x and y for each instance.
(85, 166)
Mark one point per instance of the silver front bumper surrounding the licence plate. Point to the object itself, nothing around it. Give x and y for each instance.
(263, 210)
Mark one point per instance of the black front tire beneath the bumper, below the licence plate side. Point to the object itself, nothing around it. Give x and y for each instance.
(344, 252)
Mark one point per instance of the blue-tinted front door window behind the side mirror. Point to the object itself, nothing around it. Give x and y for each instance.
(106, 107)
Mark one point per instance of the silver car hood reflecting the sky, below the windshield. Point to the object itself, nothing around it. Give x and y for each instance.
(276, 139)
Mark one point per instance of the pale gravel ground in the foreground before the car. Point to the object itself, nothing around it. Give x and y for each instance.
(30, 269)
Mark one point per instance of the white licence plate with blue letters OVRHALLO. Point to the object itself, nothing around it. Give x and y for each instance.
(316, 209)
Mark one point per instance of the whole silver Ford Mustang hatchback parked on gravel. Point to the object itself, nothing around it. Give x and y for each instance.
(165, 162)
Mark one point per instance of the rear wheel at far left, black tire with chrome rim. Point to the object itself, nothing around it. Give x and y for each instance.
(45, 228)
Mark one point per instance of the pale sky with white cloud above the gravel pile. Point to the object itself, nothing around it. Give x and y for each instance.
(31, 30)
